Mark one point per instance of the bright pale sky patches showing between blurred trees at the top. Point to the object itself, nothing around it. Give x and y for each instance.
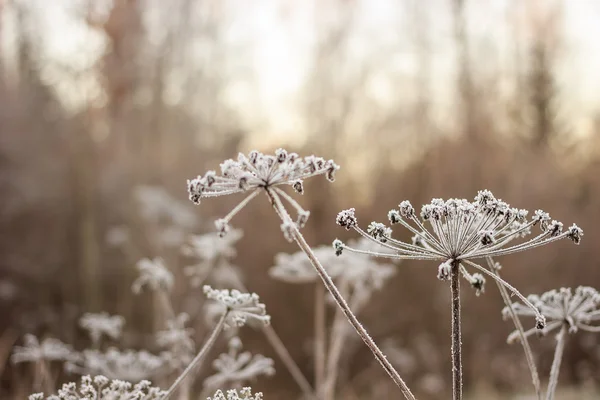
(278, 37)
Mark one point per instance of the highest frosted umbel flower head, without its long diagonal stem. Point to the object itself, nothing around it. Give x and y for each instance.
(258, 171)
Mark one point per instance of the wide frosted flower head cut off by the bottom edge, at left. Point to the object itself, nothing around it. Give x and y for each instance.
(101, 388)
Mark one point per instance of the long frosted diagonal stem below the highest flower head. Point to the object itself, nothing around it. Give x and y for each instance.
(328, 282)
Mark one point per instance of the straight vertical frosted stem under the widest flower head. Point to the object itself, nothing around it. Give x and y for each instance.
(456, 334)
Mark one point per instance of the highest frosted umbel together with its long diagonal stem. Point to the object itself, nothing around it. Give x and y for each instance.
(259, 172)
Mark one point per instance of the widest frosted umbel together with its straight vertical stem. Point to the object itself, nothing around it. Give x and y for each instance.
(457, 232)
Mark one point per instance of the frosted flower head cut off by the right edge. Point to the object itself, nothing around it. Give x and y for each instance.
(560, 307)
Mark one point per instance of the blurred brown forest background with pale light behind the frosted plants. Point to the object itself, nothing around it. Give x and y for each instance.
(101, 100)
